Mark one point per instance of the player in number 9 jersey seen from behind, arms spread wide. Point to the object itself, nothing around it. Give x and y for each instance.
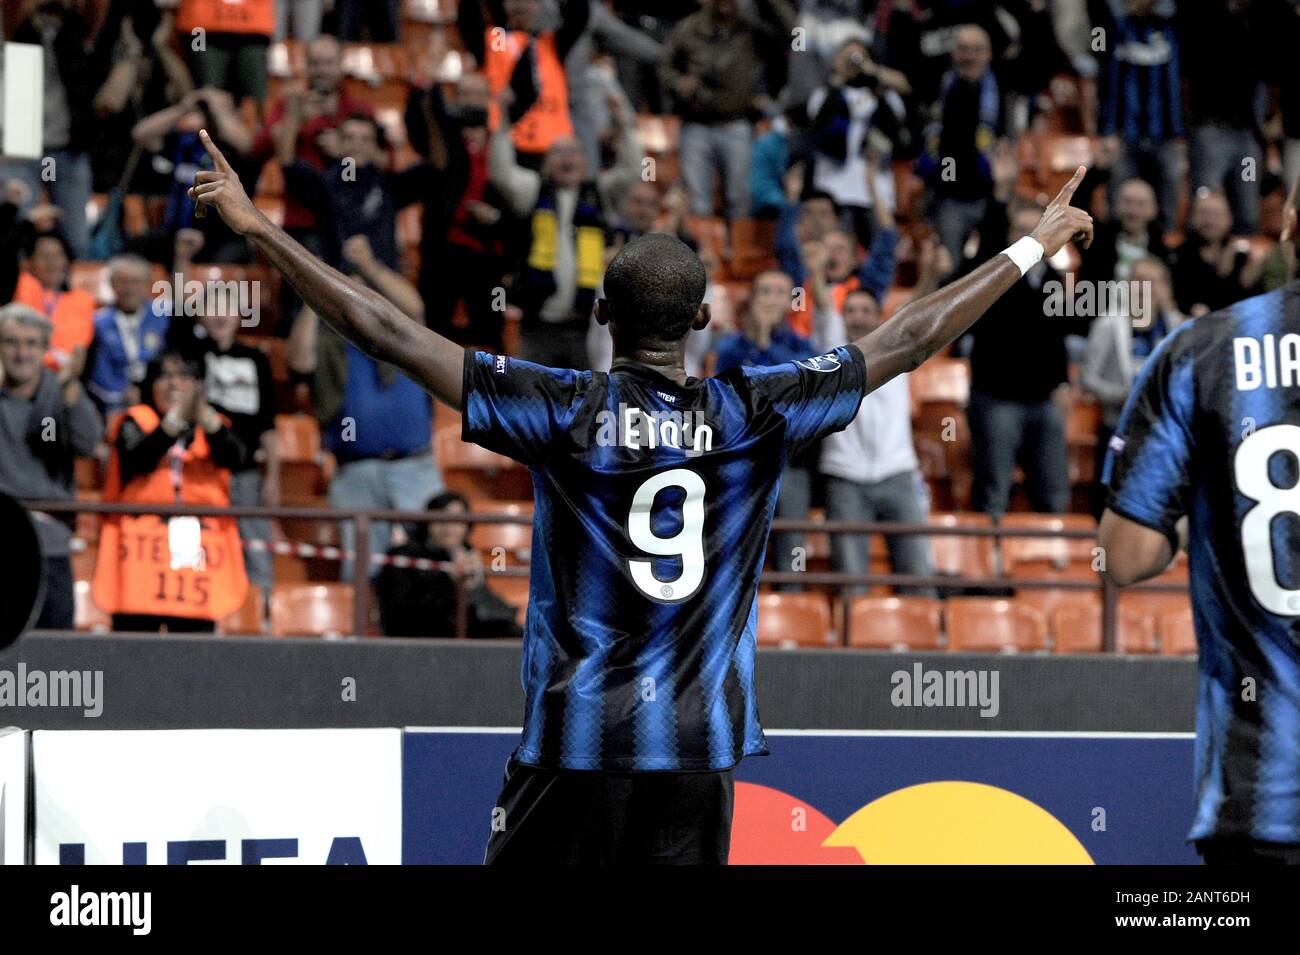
(655, 497)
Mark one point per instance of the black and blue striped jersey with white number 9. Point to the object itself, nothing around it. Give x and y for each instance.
(653, 507)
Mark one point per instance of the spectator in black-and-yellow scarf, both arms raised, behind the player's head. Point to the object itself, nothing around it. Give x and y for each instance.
(569, 227)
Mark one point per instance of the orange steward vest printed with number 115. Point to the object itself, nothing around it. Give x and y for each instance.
(135, 571)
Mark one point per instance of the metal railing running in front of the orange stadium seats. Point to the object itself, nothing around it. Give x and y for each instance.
(843, 583)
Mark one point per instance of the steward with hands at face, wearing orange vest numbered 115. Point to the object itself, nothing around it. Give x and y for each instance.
(181, 574)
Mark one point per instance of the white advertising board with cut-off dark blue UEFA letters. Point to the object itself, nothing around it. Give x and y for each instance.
(213, 796)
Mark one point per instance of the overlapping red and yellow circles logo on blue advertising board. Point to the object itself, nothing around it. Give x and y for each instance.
(950, 823)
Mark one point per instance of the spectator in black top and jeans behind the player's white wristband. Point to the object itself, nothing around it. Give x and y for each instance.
(1019, 364)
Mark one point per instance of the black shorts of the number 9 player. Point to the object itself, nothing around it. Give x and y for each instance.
(588, 818)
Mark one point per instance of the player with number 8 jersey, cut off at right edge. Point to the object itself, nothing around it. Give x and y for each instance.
(1212, 435)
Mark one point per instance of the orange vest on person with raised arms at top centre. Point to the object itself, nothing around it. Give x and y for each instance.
(548, 119)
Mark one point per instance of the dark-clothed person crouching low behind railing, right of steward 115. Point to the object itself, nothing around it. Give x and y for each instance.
(422, 602)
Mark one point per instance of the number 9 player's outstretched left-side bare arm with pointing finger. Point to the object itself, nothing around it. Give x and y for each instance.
(359, 314)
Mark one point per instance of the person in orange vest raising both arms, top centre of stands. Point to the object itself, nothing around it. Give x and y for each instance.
(518, 55)
